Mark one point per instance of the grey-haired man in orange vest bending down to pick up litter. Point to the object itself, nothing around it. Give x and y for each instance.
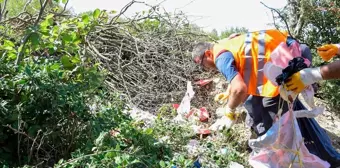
(241, 60)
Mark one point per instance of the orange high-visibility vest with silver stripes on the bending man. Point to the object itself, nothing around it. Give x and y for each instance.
(251, 52)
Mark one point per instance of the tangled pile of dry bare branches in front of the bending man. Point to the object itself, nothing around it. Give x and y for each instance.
(149, 58)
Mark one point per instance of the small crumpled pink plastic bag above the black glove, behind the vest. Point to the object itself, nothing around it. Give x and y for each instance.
(283, 54)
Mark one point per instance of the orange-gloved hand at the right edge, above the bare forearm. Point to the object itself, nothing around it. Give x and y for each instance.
(328, 51)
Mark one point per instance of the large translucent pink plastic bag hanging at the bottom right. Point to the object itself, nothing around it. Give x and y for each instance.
(282, 146)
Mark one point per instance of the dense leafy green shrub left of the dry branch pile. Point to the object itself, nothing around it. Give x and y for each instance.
(45, 112)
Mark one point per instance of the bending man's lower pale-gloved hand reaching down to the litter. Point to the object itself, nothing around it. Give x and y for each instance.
(227, 120)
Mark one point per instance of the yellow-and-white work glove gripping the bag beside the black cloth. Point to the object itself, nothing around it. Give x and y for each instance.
(298, 81)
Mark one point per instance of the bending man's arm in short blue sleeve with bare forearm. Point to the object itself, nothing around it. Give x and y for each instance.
(226, 65)
